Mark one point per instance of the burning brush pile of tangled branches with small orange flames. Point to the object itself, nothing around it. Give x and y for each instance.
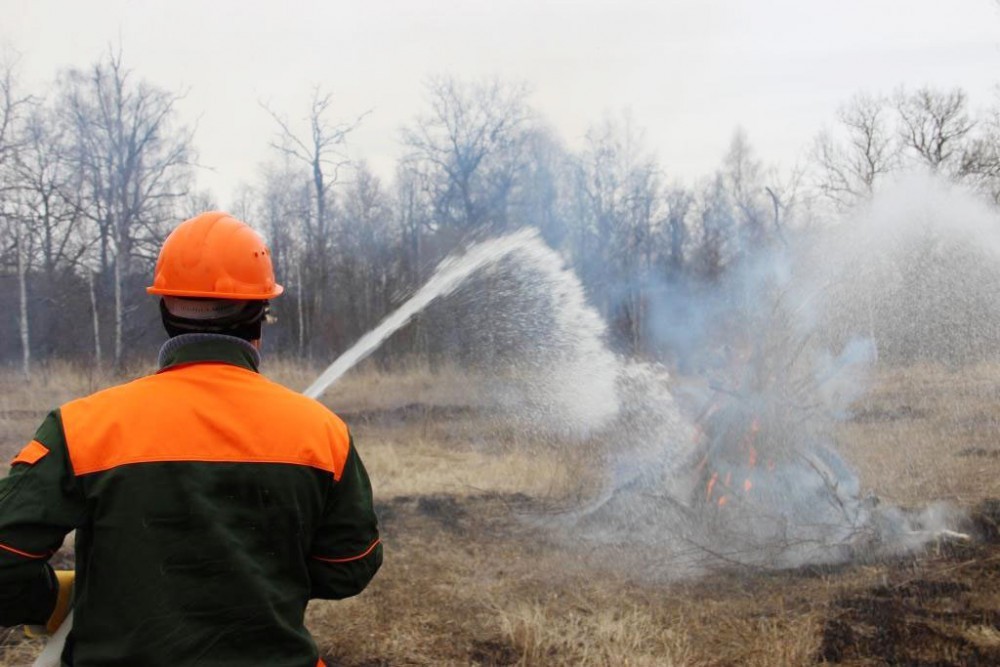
(770, 486)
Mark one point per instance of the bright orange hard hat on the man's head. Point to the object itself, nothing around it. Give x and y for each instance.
(215, 256)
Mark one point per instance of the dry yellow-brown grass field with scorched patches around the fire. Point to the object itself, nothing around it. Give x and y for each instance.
(468, 581)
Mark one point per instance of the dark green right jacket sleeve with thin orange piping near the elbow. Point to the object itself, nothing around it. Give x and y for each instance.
(347, 551)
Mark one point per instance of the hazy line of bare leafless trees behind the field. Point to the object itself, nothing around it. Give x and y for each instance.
(95, 171)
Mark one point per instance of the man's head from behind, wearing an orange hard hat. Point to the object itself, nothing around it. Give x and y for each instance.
(214, 275)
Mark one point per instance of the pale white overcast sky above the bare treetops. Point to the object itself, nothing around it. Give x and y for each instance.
(690, 71)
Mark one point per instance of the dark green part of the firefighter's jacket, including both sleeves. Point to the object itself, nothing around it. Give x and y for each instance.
(186, 562)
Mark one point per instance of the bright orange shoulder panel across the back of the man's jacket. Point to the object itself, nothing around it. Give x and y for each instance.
(209, 412)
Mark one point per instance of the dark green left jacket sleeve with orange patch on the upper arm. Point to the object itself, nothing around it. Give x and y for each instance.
(40, 503)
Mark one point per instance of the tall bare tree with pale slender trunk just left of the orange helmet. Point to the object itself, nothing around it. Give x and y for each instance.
(135, 166)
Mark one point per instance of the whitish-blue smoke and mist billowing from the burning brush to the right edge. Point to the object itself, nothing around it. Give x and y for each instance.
(736, 460)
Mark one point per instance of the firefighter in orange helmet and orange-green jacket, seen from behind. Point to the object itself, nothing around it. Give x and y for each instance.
(209, 503)
